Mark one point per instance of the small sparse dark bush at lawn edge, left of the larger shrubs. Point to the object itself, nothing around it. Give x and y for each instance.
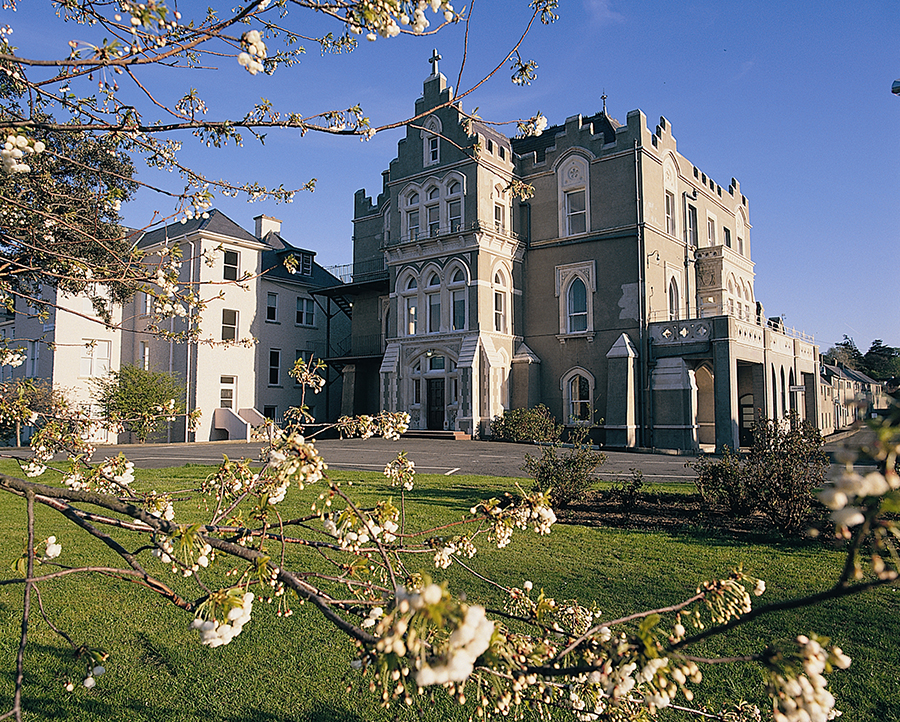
(567, 474)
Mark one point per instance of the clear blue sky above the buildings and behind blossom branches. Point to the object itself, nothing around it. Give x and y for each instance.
(792, 99)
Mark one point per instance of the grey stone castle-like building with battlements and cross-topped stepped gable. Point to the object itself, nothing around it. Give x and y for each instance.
(620, 293)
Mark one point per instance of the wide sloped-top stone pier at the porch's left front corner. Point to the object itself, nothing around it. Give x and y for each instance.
(674, 395)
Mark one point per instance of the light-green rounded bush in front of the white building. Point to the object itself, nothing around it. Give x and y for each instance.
(140, 399)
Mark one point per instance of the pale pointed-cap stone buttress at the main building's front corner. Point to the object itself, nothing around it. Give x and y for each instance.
(621, 394)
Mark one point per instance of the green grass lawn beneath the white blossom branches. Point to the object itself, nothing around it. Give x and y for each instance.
(296, 669)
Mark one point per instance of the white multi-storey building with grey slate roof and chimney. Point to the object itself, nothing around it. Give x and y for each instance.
(262, 316)
